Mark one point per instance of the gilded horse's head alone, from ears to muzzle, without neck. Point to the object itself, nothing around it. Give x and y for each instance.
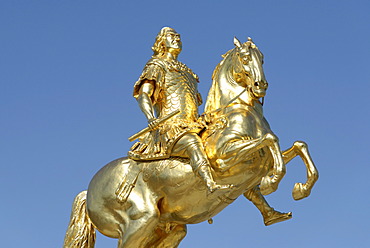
(248, 70)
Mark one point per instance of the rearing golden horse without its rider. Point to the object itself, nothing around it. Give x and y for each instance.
(162, 196)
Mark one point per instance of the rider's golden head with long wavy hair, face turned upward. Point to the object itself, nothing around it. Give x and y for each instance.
(167, 40)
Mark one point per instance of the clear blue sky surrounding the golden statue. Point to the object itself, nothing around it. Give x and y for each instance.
(66, 74)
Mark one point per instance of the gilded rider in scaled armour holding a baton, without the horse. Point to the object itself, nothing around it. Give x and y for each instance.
(167, 85)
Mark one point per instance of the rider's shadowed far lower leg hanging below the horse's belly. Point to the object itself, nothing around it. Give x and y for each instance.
(270, 216)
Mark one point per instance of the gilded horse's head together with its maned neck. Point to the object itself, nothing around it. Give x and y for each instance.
(238, 78)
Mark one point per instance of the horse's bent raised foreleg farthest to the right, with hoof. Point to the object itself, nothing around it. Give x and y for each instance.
(300, 148)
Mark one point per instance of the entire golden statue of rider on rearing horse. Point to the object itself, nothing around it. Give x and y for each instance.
(186, 168)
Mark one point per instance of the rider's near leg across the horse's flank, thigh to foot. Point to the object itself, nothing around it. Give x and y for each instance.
(190, 146)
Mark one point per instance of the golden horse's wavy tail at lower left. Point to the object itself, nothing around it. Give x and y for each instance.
(80, 232)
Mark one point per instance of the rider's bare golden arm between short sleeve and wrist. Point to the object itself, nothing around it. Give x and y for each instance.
(144, 99)
